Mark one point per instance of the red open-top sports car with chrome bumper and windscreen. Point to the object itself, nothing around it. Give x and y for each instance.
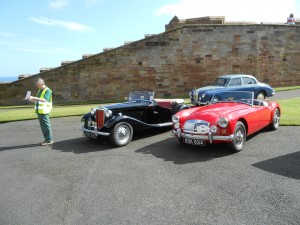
(229, 118)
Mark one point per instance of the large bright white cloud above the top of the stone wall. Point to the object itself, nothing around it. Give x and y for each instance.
(233, 10)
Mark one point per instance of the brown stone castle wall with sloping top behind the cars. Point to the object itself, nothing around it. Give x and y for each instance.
(172, 63)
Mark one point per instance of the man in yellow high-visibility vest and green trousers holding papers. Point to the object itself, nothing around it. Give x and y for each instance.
(43, 106)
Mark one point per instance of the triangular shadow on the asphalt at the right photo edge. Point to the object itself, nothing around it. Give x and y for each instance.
(286, 165)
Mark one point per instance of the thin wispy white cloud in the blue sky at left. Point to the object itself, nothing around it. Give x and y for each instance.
(72, 26)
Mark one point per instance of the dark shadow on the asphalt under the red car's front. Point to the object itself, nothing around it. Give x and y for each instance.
(172, 150)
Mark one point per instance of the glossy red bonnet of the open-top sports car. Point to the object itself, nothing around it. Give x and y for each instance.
(211, 113)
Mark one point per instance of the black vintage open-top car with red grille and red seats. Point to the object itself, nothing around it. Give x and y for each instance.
(141, 111)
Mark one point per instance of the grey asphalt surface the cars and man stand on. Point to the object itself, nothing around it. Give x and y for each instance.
(153, 180)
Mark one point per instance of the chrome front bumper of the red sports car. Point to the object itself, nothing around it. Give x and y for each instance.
(209, 137)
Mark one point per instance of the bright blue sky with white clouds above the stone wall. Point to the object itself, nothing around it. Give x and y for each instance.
(42, 33)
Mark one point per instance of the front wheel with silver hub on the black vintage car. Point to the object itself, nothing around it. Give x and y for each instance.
(121, 134)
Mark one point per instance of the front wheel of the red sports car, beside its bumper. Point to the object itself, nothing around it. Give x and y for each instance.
(239, 137)
